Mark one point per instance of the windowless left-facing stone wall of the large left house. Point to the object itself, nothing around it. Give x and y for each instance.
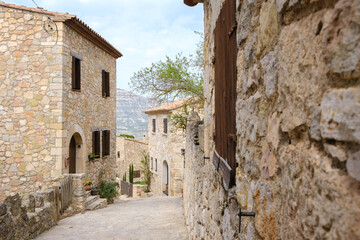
(30, 104)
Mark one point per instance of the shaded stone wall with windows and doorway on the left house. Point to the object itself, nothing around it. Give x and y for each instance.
(87, 110)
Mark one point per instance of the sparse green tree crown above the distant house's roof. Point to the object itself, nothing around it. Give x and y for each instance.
(172, 79)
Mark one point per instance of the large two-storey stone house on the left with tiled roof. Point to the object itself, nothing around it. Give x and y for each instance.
(57, 99)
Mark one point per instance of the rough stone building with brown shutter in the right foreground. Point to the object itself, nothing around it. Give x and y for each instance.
(281, 131)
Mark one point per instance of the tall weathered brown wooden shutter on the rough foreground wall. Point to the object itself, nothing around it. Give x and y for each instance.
(225, 93)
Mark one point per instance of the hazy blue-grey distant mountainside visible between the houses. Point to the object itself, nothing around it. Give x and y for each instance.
(130, 118)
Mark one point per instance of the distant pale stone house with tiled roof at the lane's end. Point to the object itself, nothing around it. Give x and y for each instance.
(166, 145)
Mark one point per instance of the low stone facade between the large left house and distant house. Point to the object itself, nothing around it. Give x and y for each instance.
(129, 151)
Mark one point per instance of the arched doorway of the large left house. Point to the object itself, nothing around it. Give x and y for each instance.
(75, 154)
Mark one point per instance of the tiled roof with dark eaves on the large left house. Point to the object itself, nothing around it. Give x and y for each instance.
(73, 22)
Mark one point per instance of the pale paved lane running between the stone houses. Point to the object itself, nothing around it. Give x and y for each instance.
(155, 218)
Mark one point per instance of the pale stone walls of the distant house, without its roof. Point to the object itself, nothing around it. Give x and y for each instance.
(166, 148)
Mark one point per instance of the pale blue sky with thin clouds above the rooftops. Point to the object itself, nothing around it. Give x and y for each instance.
(144, 31)
